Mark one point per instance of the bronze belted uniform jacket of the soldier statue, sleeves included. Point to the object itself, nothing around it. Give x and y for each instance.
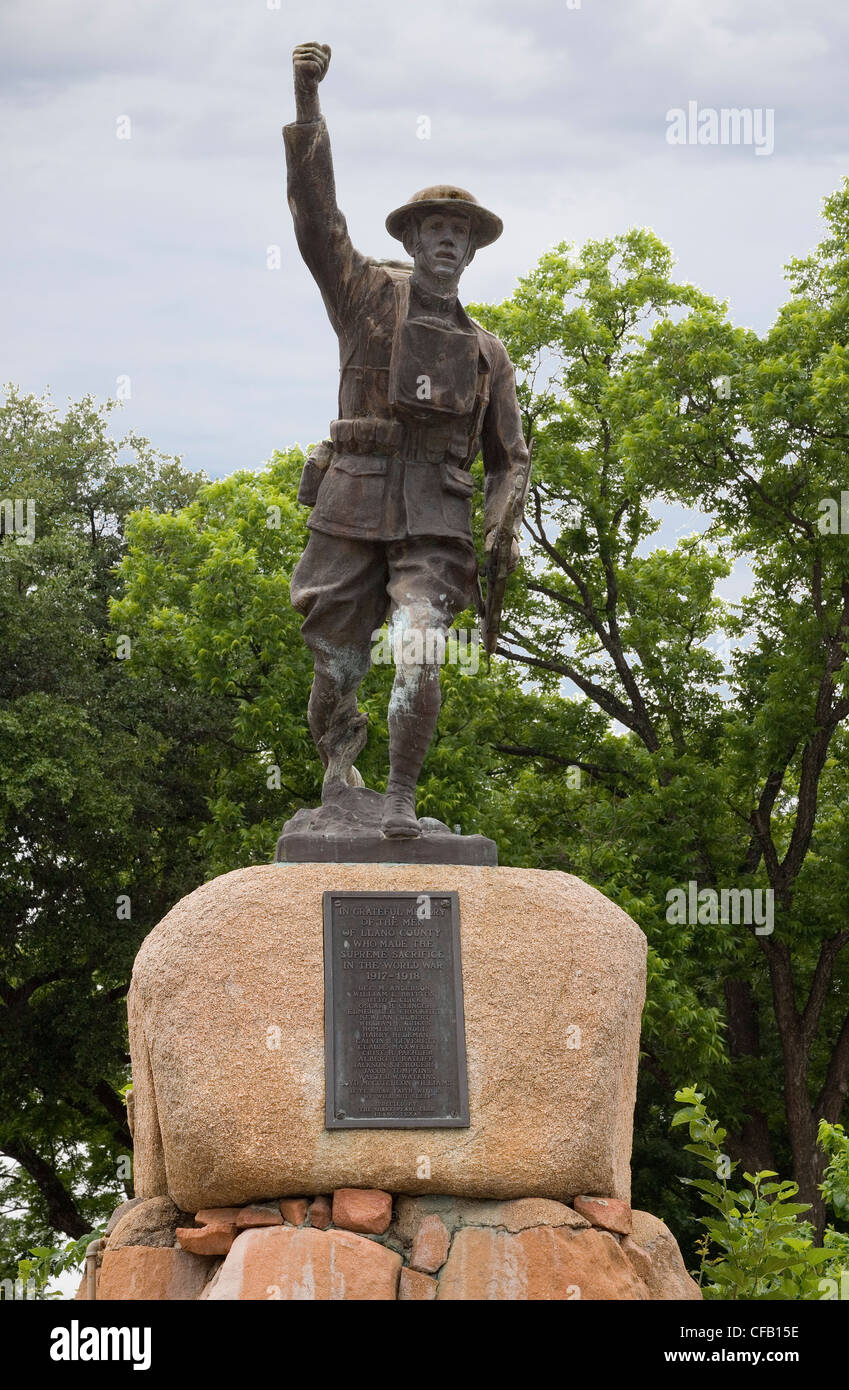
(401, 461)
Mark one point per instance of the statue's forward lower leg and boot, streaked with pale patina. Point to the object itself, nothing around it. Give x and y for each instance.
(413, 714)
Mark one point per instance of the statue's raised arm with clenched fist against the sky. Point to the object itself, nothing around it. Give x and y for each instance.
(320, 227)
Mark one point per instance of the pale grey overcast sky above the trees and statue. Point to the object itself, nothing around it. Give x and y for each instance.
(147, 258)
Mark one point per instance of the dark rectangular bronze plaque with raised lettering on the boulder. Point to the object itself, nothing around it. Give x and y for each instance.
(394, 1029)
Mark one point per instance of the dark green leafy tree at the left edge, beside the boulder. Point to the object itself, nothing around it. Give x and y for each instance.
(97, 814)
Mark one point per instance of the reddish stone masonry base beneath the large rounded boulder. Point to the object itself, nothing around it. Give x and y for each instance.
(366, 1245)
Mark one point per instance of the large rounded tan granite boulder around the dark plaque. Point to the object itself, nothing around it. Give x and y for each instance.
(227, 1028)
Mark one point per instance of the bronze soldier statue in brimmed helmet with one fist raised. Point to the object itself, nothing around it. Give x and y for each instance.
(422, 390)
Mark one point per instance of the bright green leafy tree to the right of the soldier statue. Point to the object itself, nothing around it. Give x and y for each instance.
(726, 772)
